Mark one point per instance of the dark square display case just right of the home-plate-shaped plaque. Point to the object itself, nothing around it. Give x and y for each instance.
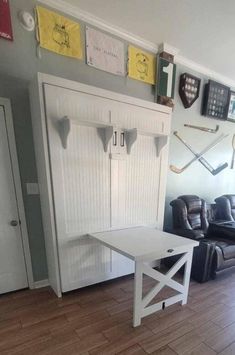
(215, 100)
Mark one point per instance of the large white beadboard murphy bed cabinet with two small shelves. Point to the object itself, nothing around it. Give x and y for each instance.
(102, 164)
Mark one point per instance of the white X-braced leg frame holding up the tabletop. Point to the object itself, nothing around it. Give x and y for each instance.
(141, 308)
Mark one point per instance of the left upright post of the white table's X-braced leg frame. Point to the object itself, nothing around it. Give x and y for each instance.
(138, 291)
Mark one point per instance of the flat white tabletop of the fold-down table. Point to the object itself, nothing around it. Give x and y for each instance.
(144, 243)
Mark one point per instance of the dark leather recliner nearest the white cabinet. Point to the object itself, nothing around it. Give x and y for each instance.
(214, 252)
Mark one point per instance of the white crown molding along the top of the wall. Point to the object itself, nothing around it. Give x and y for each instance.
(89, 18)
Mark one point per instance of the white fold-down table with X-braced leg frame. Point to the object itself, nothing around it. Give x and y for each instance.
(144, 245)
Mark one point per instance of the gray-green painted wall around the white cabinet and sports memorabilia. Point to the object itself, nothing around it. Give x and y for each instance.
(19, 64)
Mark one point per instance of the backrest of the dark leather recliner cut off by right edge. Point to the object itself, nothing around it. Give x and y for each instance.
(225, 207)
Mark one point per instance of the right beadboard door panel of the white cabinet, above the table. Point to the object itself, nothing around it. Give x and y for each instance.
(135, 176)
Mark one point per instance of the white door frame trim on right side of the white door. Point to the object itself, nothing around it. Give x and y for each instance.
(6, 105)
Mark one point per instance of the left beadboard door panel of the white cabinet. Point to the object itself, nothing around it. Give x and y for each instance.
(81, 188)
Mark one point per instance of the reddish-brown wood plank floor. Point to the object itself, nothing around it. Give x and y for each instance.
(98, 320)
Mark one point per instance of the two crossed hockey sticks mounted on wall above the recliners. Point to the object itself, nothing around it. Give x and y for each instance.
(199, 156)
